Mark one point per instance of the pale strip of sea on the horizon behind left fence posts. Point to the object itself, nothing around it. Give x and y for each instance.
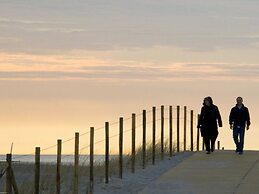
(65, 159)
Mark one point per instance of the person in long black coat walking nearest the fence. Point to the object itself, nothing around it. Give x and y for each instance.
(208, 123)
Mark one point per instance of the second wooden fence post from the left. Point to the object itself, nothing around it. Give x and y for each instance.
(37, 171)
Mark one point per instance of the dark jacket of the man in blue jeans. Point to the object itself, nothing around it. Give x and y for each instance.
(239, 117)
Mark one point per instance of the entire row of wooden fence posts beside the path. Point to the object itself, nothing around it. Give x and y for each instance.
(11, 182)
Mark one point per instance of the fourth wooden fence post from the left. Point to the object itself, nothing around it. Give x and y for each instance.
(76, 165)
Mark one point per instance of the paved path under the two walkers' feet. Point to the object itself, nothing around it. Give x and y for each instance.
(221, 172)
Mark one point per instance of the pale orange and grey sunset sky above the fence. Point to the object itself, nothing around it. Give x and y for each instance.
(68, 65)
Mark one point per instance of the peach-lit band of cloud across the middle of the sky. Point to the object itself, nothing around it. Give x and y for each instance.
(53, 67)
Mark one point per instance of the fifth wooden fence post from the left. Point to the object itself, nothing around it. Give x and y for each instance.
(91, 181)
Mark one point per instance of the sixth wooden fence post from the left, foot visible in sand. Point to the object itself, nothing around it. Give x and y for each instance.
(107, 151)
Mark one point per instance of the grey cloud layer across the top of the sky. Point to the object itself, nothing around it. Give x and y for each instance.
(105, 25)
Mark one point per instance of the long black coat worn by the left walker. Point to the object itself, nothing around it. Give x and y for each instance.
(208, 120)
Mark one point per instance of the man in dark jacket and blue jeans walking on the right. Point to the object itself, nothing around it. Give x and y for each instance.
(239, 119)
